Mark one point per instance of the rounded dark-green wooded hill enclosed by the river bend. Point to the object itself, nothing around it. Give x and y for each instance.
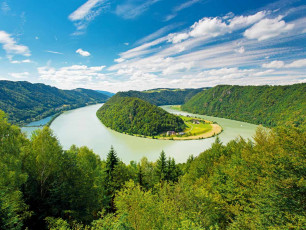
(135, 116)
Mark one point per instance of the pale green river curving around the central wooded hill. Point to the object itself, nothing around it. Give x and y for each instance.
(82, 128)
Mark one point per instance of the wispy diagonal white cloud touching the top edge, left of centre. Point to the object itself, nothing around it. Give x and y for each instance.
(86, 13)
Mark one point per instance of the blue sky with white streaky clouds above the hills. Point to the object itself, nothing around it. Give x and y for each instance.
(119, 45)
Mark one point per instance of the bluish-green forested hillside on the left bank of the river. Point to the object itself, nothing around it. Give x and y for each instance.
(25, 102)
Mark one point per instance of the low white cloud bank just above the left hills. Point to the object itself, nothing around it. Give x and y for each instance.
(68, 77)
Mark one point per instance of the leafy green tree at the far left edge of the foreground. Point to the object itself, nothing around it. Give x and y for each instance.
(13, 210)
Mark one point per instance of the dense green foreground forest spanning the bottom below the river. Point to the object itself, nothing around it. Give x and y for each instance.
(240, 185)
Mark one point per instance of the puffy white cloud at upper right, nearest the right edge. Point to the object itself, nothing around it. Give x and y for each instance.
(268, 28)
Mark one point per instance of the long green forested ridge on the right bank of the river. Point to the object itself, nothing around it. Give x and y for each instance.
(266, 105)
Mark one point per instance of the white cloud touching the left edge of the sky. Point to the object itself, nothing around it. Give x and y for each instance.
(11, 47)
